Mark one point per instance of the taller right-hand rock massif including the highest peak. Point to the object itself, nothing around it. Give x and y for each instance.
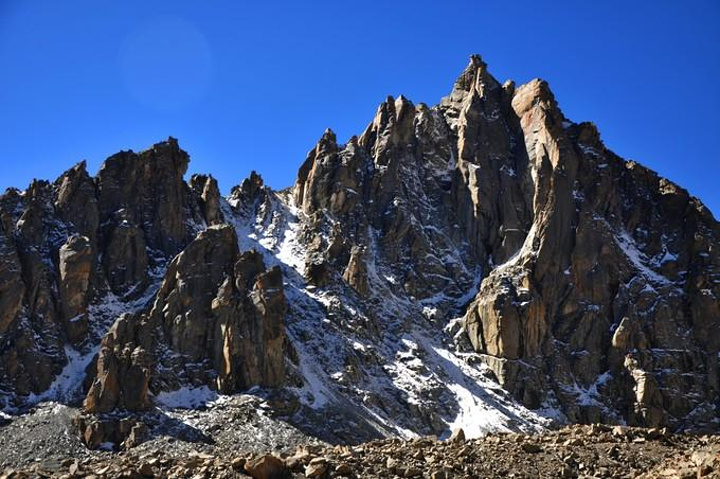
(599, 292)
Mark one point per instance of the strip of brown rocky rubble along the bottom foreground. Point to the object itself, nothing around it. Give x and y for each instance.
(574, 452)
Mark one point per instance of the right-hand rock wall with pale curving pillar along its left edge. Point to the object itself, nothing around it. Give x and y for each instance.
(596, 304)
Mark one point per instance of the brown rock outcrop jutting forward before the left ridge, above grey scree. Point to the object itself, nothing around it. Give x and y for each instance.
(217, 320)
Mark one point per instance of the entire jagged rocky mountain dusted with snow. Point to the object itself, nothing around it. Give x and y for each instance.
(484, 264)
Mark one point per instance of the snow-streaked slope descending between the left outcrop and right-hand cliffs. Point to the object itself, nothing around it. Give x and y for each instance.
(388, 359)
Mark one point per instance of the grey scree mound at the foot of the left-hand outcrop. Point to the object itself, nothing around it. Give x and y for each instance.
(238, 427)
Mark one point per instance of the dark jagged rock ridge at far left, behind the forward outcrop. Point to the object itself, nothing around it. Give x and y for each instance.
(81, 244)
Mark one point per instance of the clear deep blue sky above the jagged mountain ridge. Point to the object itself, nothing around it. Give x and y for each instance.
(253, 85)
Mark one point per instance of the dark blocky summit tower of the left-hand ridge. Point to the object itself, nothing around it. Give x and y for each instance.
(148, 211)
